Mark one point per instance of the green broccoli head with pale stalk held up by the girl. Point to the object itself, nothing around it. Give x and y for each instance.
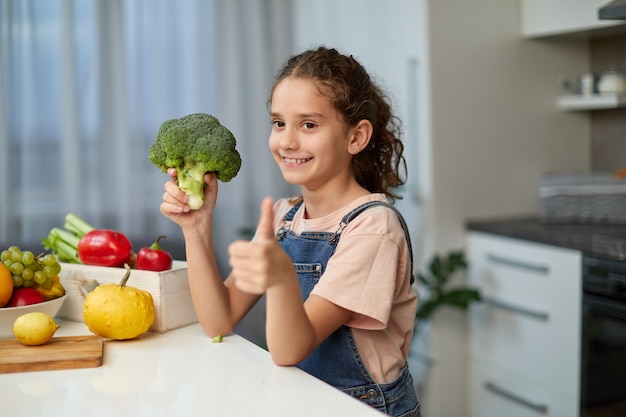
(194, 145)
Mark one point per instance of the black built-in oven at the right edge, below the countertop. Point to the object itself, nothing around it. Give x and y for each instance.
(603, 347)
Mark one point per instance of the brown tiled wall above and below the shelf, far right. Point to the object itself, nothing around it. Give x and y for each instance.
(608, 127)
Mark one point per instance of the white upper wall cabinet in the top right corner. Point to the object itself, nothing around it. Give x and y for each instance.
(541, 18)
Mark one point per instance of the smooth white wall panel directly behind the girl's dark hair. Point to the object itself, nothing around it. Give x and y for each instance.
(389, 39)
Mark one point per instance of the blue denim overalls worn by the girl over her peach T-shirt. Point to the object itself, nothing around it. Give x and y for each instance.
(337, 360)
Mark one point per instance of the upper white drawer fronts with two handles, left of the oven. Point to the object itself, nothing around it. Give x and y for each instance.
(530, 320)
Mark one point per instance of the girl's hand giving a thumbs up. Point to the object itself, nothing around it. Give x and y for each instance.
(260, 264)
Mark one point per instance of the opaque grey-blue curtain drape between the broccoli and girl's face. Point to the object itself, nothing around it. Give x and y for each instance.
(253, 39)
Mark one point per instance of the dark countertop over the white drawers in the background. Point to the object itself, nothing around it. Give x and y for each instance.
(604, 240)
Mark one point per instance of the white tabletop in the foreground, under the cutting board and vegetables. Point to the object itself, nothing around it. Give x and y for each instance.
(179, 373)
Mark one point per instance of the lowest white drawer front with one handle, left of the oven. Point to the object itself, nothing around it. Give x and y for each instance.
(496, 393)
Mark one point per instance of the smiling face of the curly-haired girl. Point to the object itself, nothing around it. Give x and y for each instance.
(309, 139)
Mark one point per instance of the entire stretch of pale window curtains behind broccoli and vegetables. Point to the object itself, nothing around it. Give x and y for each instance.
(85, 85)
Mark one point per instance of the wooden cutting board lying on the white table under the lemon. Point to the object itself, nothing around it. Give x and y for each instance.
(68, 352)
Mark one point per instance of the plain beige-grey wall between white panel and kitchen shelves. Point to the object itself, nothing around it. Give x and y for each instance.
(495, 130)
